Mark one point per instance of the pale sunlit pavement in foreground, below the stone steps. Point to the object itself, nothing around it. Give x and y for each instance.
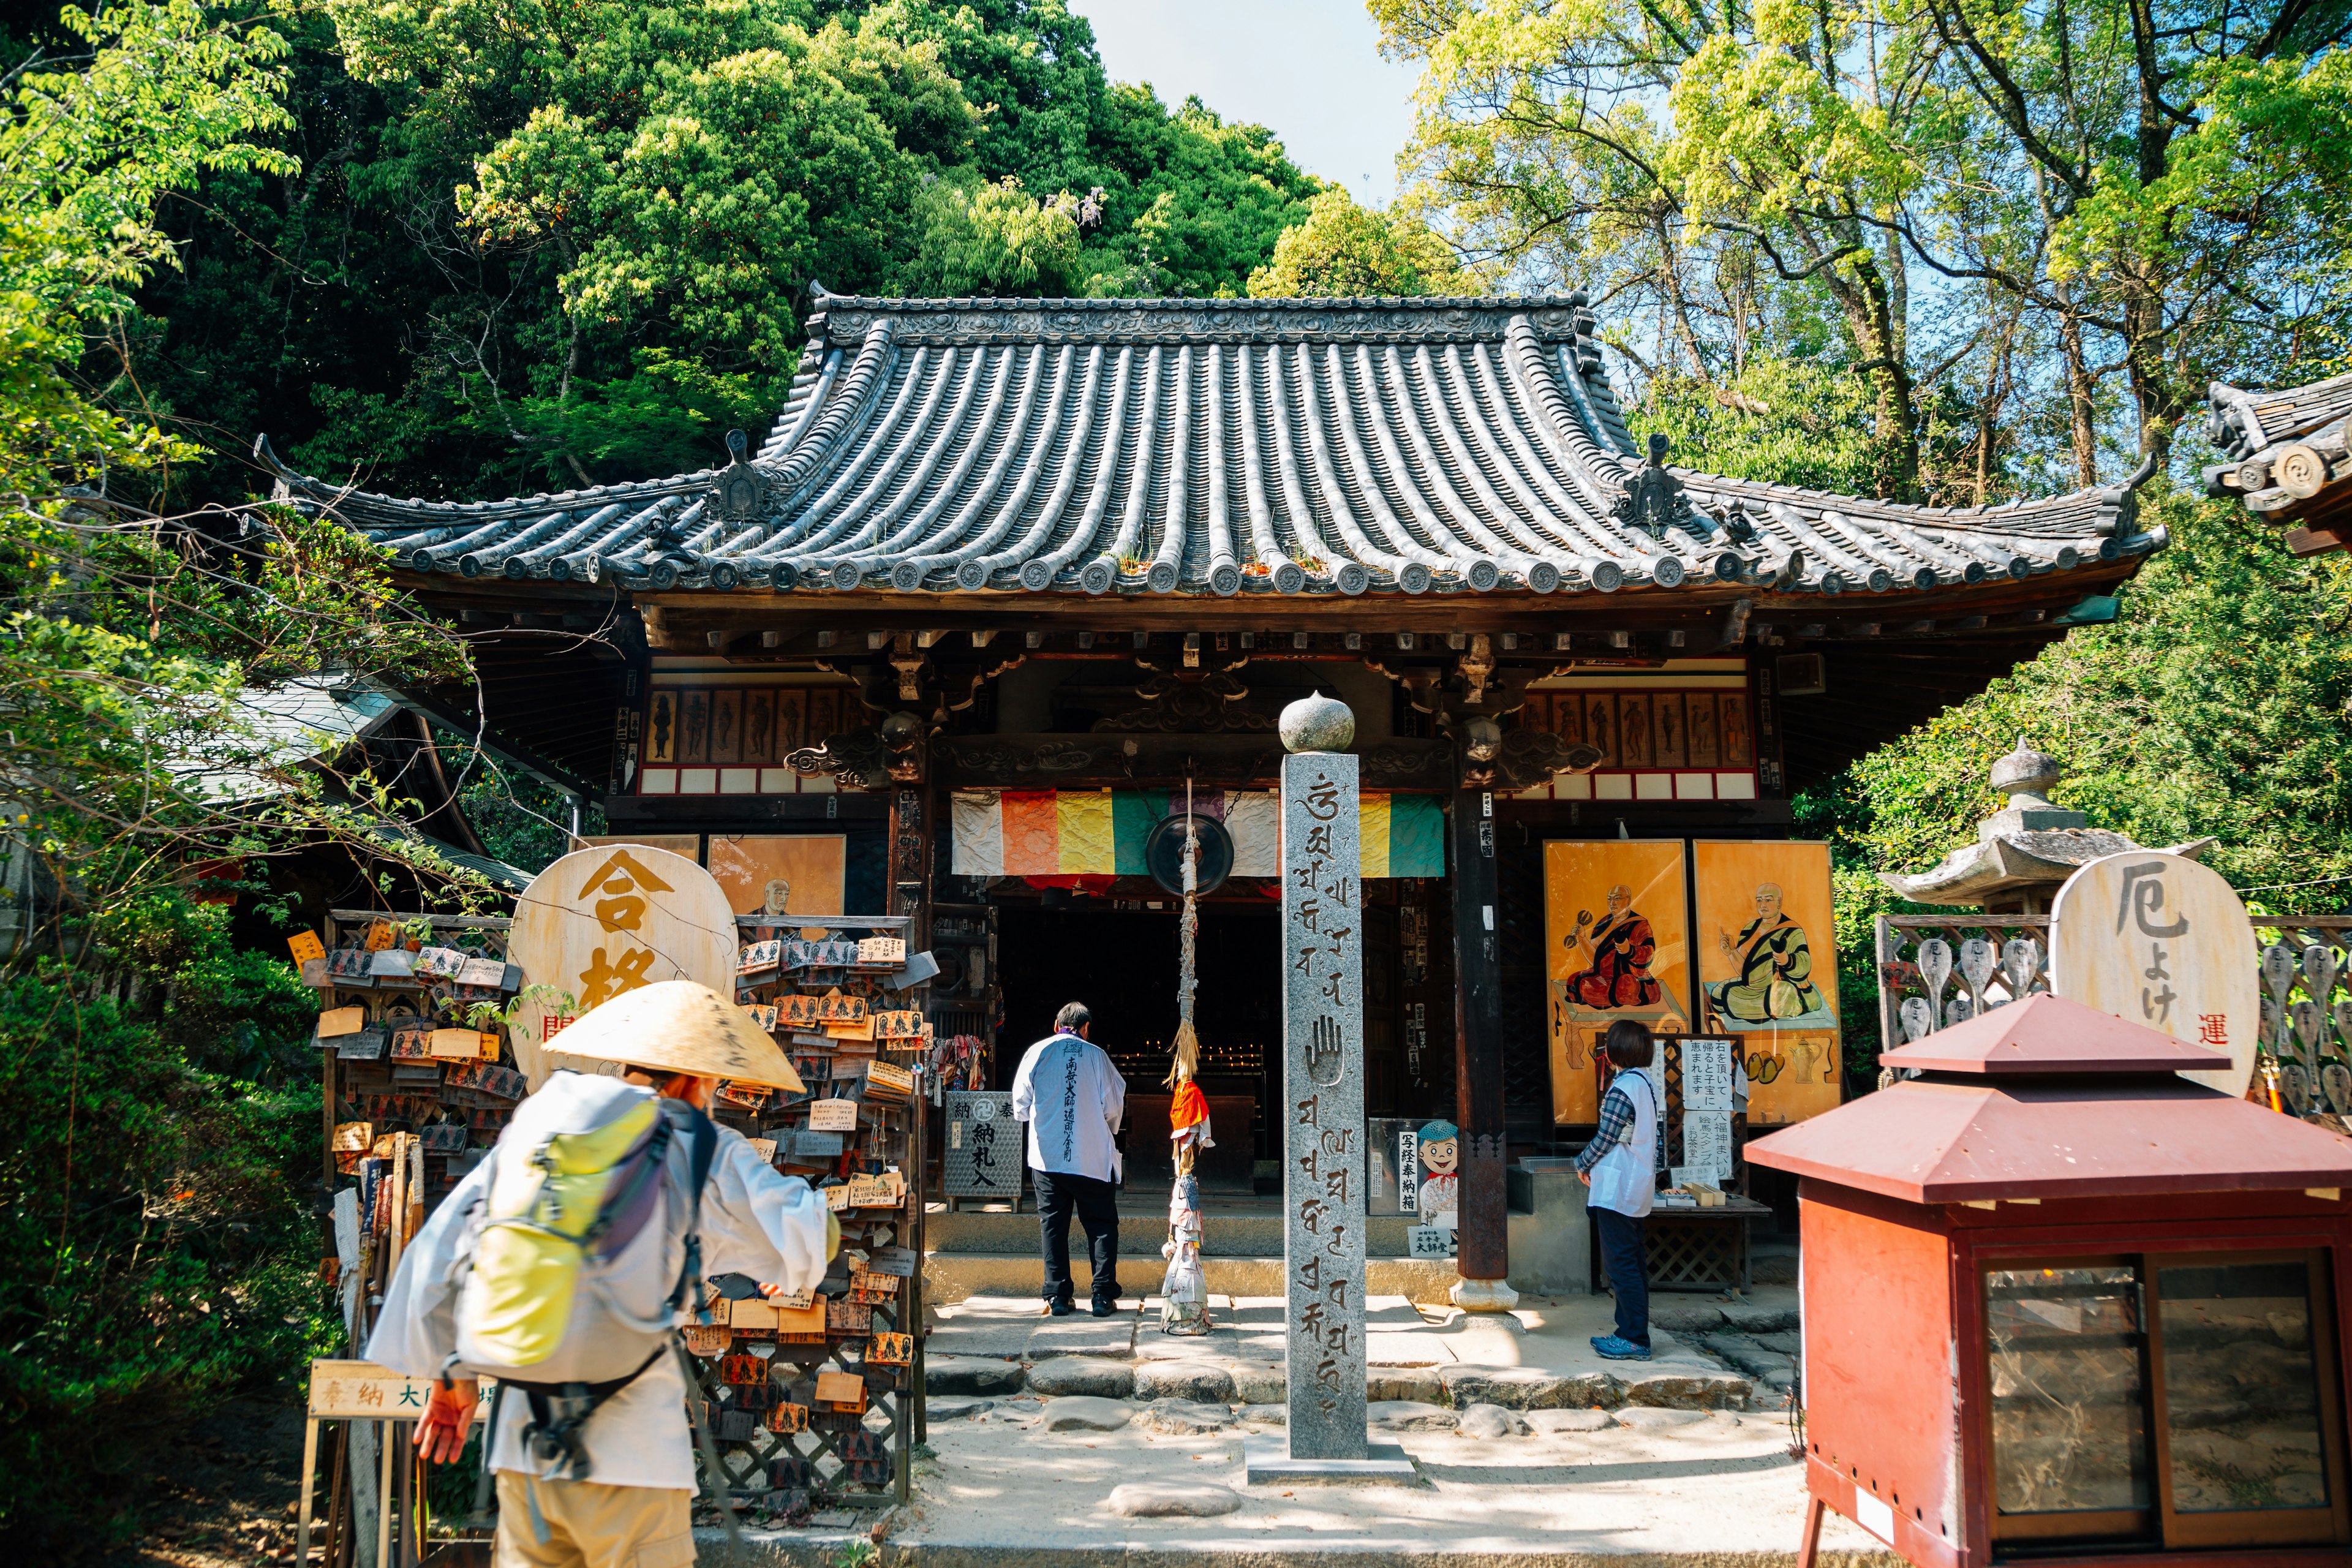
(1539, 1489)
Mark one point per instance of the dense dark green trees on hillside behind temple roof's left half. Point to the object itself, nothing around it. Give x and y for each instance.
(382, 337)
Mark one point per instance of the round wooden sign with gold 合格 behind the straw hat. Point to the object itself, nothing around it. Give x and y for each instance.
(608, 920)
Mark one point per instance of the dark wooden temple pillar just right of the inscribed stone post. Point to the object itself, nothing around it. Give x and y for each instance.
(1478, 1068)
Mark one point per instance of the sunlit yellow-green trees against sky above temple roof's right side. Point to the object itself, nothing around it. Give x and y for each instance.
(2038, 234)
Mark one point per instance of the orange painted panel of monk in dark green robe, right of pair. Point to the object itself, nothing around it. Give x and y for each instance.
(1768, 970)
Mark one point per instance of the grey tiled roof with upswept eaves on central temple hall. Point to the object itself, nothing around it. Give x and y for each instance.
(1220, 448)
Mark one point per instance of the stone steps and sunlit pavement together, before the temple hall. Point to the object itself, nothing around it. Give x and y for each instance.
(1102, 1442)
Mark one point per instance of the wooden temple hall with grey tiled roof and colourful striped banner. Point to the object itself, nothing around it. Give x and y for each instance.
(1008, 582)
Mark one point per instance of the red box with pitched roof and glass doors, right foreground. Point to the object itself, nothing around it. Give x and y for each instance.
(2064, 1304)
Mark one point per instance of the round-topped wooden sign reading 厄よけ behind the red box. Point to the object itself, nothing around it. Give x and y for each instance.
(2163, 942)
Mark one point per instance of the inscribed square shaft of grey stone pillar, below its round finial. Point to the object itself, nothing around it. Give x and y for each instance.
(1323, 1106)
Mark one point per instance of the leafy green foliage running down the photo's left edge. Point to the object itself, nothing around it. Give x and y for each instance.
(154, 1238)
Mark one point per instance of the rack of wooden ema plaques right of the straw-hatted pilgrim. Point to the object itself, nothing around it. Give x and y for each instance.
(817, 1402)
